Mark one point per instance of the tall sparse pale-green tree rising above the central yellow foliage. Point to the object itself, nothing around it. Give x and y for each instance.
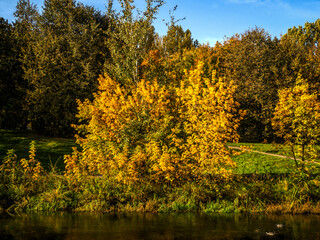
(131, 38)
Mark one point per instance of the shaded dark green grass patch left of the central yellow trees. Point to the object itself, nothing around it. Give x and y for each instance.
(49, 150)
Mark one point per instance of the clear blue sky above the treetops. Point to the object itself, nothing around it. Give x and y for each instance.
(212, 20)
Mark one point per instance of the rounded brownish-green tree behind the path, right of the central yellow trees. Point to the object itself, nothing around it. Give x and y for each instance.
(250, 59)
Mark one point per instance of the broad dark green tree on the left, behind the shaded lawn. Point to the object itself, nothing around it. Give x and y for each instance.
(67, 55)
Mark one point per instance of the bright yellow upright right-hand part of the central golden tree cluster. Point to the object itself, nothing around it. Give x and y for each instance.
(208, 110)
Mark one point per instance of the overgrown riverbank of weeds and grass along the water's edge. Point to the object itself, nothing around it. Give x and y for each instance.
(258, 184)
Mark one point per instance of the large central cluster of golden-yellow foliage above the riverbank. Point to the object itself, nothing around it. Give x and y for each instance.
(157, 133)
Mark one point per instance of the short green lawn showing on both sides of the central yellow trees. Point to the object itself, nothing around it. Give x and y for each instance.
(52, 150)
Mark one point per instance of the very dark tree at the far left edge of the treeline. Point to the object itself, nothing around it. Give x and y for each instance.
(15, 42)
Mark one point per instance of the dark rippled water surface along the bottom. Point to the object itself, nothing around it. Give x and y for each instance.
(70, 226)
